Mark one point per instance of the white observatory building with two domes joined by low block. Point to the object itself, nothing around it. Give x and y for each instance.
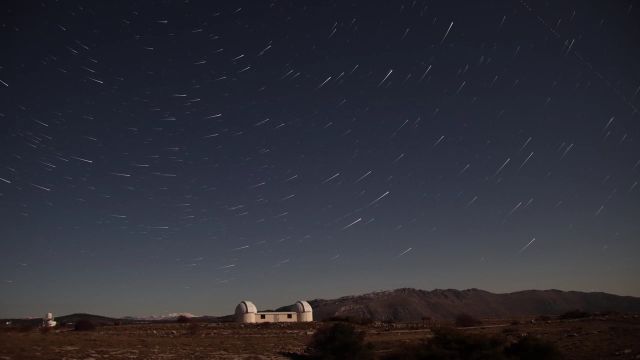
(246, 312)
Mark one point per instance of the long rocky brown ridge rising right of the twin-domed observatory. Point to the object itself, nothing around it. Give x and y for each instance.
(413, 305)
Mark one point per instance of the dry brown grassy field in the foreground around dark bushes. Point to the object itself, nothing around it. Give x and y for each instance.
(593, 338)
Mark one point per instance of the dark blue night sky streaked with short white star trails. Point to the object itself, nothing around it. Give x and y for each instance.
(173, 156)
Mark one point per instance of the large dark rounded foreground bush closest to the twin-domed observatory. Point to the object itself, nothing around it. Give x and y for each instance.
(339, 341)
